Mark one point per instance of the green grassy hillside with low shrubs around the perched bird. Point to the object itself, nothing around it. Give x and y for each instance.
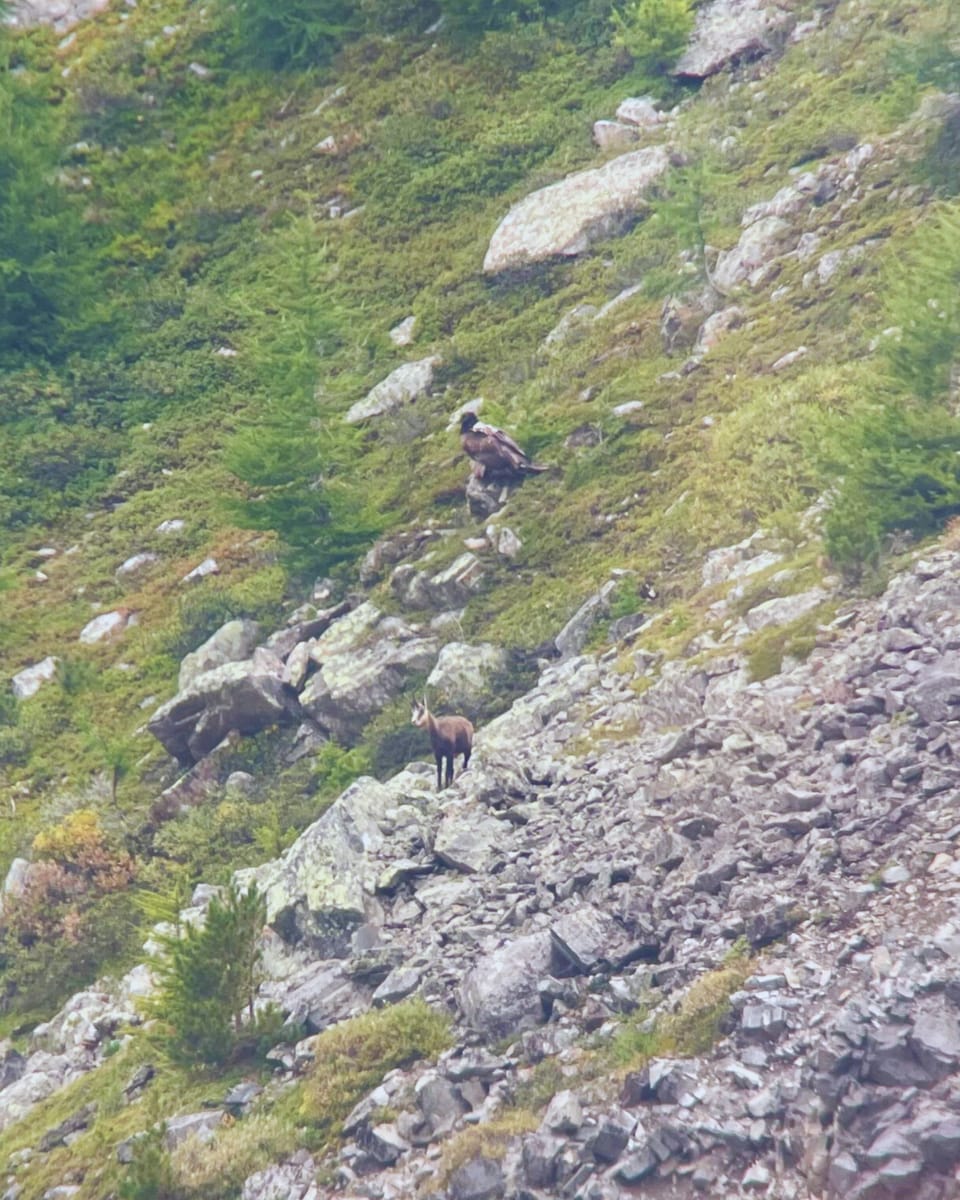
(229, 281)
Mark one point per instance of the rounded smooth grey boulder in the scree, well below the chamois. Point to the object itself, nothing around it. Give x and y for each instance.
(500, 994)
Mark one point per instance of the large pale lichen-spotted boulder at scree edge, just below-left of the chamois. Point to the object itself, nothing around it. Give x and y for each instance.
(323, 887)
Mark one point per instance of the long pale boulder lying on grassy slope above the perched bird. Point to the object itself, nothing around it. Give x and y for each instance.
(567, 218)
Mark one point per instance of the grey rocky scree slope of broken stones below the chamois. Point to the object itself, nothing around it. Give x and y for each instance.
(603, 854)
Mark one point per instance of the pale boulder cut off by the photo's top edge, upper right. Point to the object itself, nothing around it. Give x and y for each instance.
(730, 31)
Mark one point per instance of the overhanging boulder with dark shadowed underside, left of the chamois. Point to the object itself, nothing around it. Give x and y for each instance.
(245, 697)
